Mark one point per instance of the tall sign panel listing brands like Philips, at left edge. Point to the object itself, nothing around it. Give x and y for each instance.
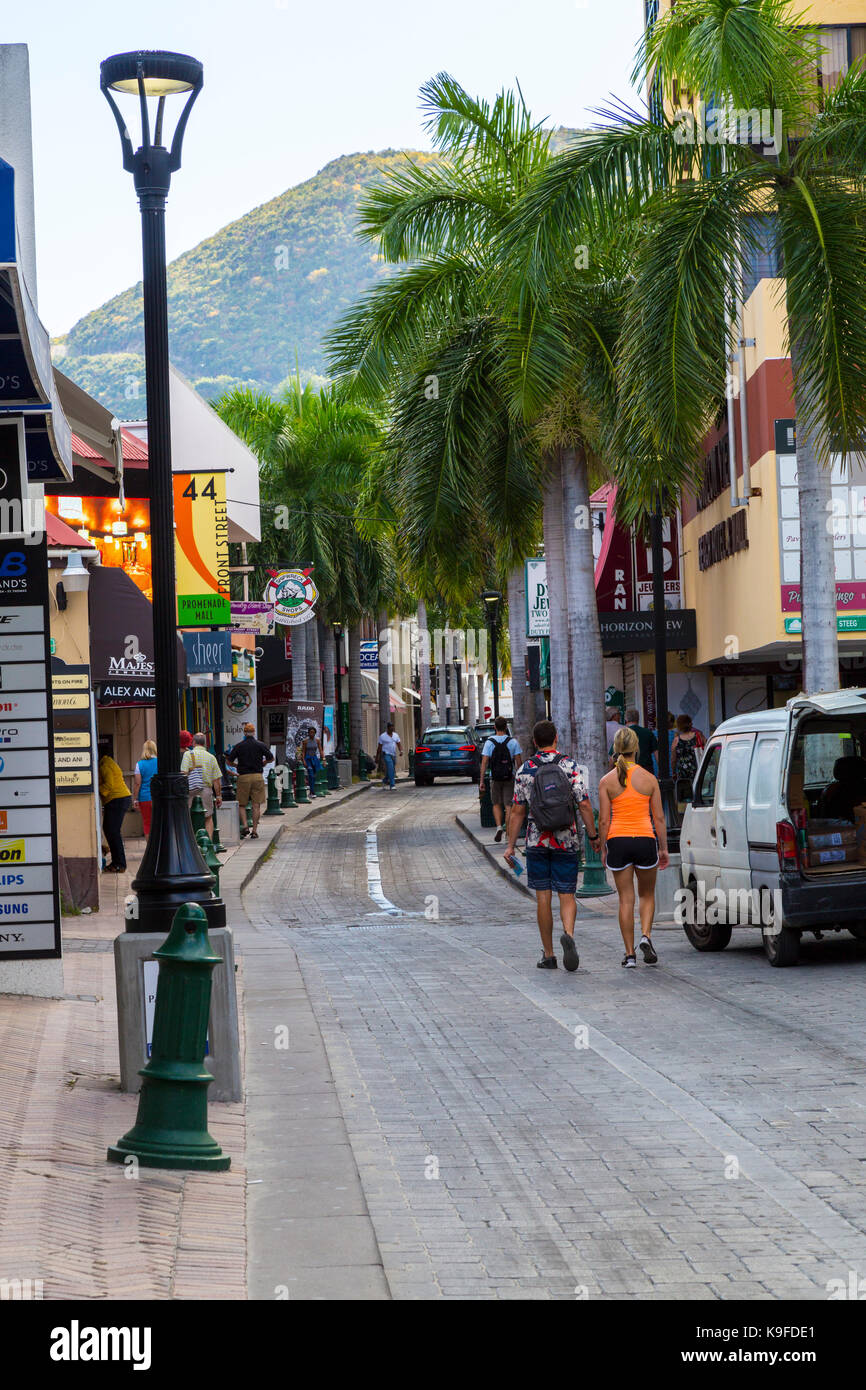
(30, 896)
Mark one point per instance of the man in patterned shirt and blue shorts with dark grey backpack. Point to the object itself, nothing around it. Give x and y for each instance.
(553, 789)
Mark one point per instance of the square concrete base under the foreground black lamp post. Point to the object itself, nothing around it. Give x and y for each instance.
(133, 950)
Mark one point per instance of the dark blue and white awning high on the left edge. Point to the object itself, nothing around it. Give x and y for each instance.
(26, 357)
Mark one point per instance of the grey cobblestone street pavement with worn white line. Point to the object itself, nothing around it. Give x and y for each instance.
(693, 1131)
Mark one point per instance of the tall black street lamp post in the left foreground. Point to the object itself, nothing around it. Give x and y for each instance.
(173, 871)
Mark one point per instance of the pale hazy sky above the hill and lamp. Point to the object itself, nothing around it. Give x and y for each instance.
(288, 87)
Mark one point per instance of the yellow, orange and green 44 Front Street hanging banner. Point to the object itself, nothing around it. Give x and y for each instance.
(202, 573)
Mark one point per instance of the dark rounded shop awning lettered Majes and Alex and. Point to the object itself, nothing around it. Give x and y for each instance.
(122, 640)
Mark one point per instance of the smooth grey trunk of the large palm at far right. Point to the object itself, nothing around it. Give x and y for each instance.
(817, 561)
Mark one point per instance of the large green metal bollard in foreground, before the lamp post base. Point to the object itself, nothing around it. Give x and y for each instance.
(172, 1124)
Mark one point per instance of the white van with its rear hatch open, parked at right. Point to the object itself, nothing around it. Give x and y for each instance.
(772, 837)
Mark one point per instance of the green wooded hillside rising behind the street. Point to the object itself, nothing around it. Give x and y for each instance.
(251, 302)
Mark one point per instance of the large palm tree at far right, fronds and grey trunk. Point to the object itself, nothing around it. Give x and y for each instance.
(697, 215)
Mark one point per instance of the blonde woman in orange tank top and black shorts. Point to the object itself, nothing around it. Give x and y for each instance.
(635, 840)
